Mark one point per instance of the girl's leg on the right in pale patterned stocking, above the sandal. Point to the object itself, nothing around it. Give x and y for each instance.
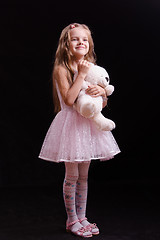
(81, 191)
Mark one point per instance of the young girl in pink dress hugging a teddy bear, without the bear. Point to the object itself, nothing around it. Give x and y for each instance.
(71, 138)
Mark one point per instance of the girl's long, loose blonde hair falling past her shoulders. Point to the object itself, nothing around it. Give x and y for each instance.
(63, 57)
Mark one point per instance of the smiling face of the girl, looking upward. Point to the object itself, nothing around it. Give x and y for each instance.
(79, 44)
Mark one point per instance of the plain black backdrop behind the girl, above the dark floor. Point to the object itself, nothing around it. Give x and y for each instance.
(127, 37)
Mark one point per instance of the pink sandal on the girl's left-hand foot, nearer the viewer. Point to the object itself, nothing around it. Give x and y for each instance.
(82, 232)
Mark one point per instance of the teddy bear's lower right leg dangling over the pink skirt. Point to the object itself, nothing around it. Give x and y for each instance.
(103, 123)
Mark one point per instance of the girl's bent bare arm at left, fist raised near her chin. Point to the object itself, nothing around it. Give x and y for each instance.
(70, 93)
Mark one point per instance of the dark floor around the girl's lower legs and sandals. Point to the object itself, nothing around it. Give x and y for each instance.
(123, 211)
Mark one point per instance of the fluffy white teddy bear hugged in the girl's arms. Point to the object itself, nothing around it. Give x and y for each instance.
(91, 107)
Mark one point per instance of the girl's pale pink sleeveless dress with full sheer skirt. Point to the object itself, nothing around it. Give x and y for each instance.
(73, 138)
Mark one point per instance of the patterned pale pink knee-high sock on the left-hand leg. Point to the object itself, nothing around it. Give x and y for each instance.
(69, 187)
